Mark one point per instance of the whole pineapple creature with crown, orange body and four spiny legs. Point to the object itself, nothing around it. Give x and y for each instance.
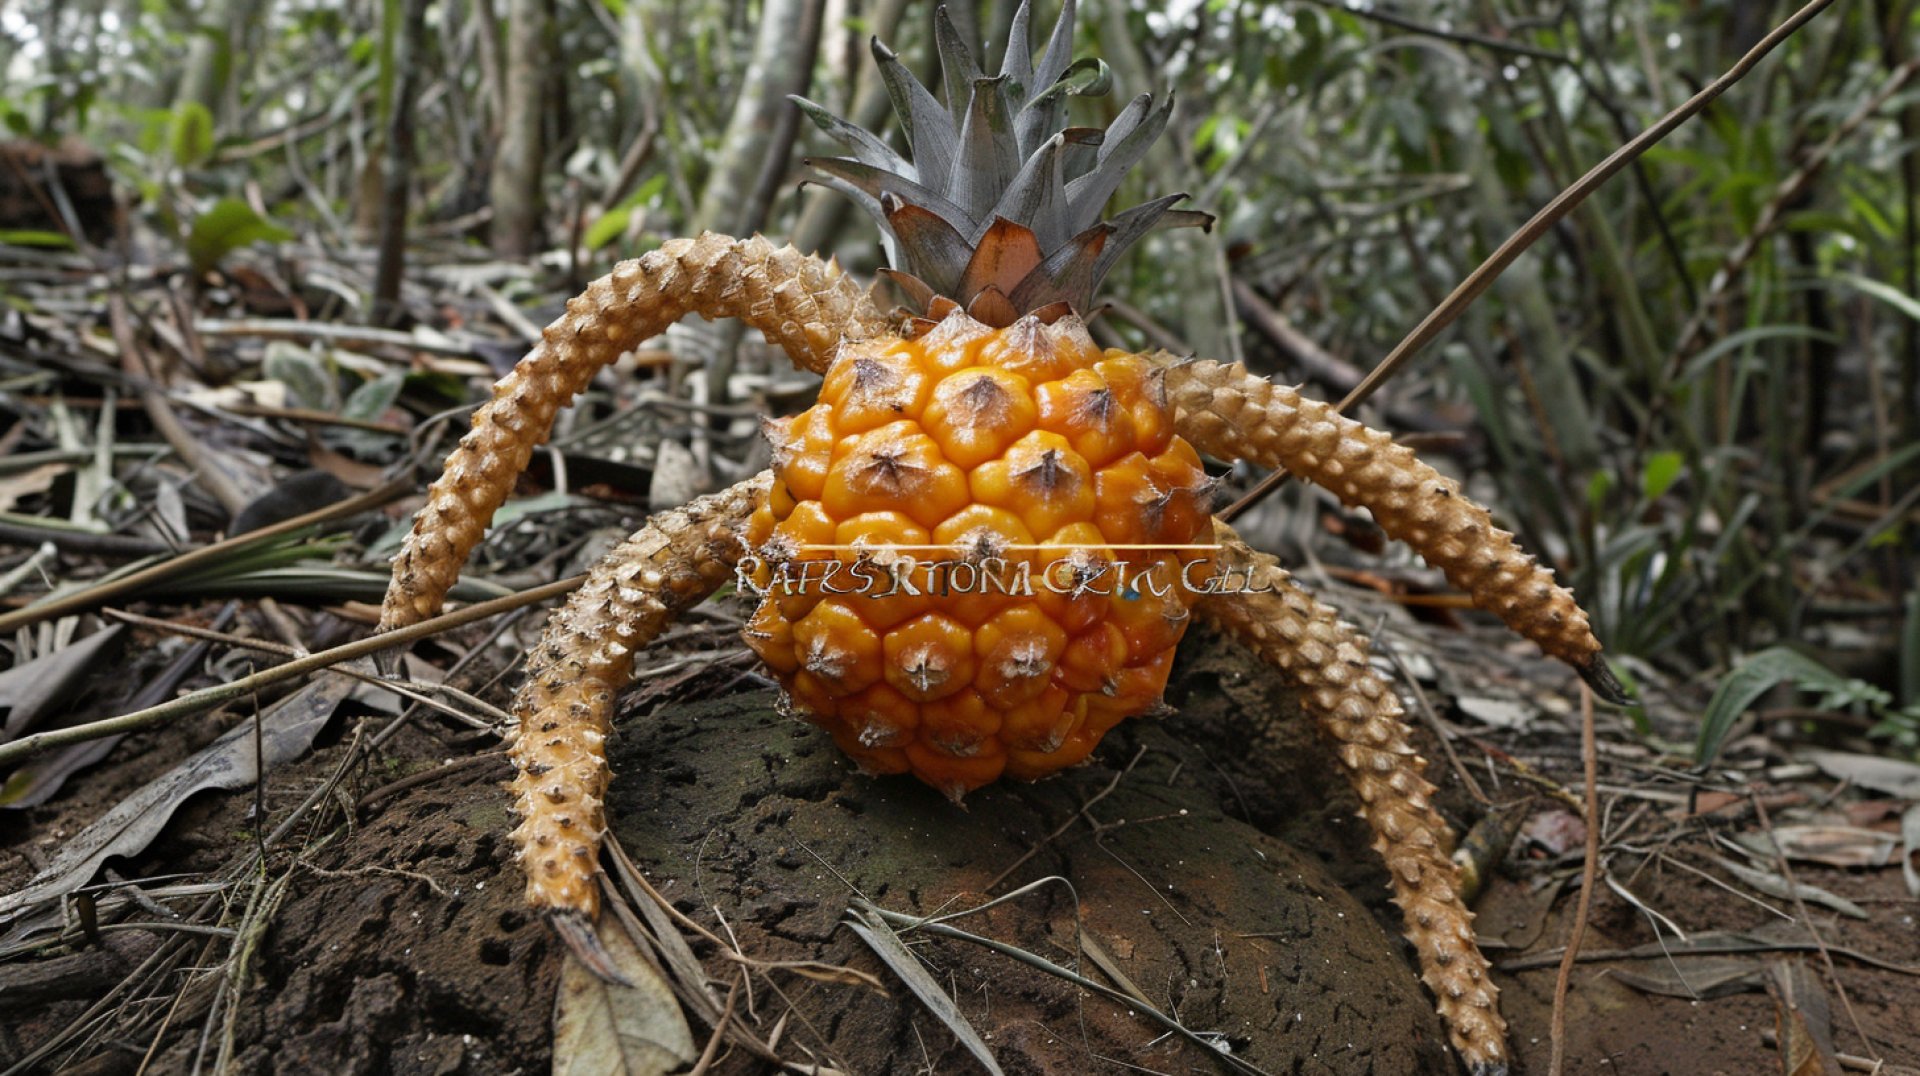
(980, 549)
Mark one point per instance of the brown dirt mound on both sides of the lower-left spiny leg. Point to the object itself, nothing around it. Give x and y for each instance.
(406, 946)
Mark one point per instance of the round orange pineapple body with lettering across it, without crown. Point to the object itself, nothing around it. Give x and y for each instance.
(980, 550)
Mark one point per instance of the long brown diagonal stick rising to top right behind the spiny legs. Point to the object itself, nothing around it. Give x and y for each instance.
(1483, 278)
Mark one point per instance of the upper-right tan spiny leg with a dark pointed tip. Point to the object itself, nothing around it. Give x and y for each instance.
(1232, 414)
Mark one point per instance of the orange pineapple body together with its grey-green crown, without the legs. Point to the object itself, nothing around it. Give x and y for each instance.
(1020, 497)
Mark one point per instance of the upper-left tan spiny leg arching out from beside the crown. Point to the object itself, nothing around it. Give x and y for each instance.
(800, 303)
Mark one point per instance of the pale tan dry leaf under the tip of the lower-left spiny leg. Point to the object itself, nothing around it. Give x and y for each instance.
(604, 1029)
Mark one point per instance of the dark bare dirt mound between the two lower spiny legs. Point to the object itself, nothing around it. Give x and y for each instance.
(738, 812)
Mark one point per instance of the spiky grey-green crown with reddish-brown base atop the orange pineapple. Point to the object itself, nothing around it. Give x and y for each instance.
(999, 207)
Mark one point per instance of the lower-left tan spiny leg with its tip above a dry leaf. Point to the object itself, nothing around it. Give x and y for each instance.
(577, 672)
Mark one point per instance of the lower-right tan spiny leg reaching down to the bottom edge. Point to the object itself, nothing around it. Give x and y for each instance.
(1310, 647)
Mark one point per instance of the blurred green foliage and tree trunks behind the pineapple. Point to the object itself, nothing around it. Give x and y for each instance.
(1698, 397)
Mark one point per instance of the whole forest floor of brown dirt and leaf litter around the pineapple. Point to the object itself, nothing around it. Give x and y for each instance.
(358, 910)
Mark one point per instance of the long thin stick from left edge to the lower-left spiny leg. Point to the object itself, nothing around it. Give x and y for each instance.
(218, 695)
